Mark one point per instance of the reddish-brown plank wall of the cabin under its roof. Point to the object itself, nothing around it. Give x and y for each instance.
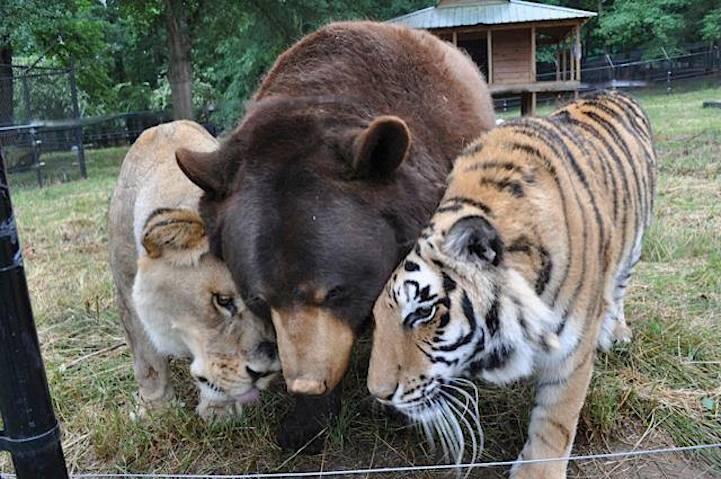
(512, 56)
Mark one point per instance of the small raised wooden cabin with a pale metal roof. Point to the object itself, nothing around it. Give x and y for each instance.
(504, 38)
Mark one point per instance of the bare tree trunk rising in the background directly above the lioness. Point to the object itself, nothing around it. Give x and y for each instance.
(180, 70)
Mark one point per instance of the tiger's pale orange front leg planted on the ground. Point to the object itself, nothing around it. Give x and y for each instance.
(560, 393)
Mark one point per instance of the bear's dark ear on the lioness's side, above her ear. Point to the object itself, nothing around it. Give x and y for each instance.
(211, 171)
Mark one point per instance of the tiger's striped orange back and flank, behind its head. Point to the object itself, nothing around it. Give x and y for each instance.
(587, 172)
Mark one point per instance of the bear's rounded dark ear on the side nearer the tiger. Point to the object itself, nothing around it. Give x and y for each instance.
(381, 148)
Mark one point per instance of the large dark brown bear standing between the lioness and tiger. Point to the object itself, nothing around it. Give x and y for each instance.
(314, 198)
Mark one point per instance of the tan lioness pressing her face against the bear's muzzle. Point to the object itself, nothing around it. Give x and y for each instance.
(176, 298)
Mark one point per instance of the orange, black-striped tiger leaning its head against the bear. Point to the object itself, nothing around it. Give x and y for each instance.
(520, 272)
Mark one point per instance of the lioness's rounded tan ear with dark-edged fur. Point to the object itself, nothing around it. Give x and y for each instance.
(177, 235)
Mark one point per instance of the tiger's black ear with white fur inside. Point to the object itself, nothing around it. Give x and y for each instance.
(474, 238)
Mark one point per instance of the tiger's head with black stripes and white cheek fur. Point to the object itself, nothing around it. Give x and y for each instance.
(454, 309)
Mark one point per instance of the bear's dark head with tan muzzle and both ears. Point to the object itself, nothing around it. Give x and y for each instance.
(310, 203)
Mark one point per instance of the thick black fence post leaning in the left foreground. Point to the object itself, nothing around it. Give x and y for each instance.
(31, 433)
